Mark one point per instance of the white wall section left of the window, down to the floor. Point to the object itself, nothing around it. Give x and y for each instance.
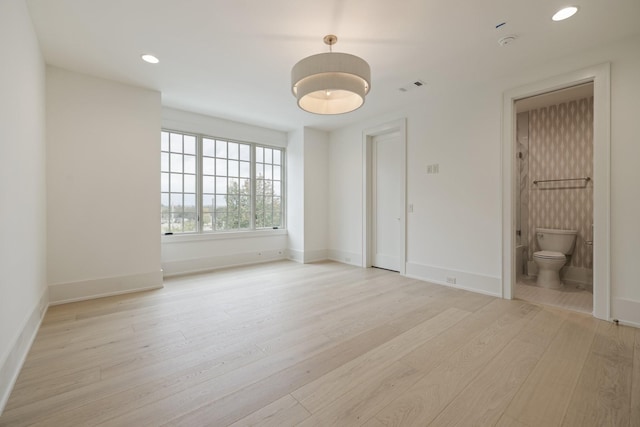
(103, 159)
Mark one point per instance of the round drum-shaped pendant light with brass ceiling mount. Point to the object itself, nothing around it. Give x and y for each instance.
(331, 83)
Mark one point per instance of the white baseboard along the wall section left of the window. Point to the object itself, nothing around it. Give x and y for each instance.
(61, 293)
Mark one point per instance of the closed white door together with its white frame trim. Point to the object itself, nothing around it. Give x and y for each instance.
(384, 196)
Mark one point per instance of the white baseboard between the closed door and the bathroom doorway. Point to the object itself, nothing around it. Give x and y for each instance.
(473, 282)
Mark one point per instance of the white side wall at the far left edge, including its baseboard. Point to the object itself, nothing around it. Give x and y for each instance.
(23, 296)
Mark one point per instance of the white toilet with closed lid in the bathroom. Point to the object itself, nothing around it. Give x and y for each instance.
(554, 246)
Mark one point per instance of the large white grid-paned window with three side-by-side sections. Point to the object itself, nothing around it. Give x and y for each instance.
(216, 185)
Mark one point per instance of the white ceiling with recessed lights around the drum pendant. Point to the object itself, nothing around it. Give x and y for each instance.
(233, 58)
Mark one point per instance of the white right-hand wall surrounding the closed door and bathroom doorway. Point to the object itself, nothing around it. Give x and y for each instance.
(455, 229)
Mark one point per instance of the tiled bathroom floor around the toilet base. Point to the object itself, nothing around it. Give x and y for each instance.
(570, 297)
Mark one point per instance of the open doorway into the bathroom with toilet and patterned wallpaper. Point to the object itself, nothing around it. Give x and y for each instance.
(554, 191)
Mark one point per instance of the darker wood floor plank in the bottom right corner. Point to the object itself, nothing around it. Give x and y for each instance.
(602, 394)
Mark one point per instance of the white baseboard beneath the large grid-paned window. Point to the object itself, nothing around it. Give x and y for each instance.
(200, 265)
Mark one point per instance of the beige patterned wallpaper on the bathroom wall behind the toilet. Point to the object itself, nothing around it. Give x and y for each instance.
(561, 147)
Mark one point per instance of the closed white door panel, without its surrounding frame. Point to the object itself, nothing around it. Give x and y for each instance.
(387, 201)
